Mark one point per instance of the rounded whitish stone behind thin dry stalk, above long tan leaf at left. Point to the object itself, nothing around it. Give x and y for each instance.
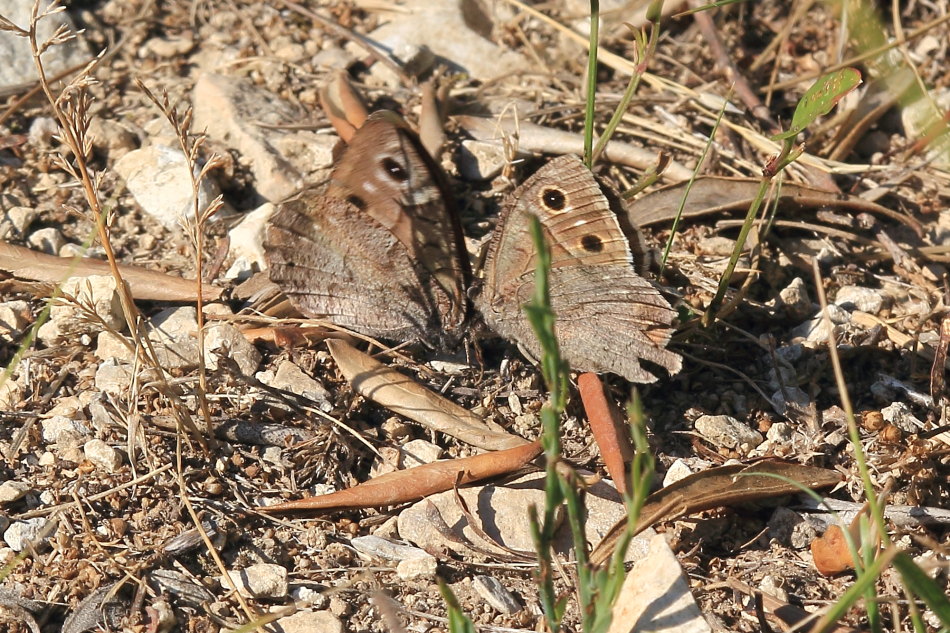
(158, 178)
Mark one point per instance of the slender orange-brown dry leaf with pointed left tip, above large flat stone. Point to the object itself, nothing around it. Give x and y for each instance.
(417, 483)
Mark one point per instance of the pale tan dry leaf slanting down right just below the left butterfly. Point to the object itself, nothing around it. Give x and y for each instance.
(400, 394)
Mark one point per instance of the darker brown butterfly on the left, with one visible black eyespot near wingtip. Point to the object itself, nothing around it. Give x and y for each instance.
(380, 249)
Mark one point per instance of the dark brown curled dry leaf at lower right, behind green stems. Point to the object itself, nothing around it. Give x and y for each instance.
(723, 486)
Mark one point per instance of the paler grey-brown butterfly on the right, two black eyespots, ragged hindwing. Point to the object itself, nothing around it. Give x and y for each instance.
(608, 318)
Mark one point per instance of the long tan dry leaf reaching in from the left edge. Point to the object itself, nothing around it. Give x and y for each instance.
(146, 285)
